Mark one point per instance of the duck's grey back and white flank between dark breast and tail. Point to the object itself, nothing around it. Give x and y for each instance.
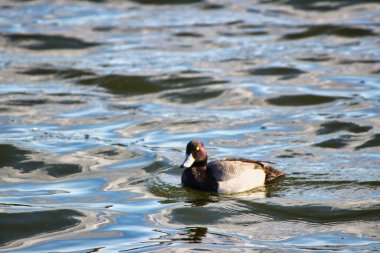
(237, 176)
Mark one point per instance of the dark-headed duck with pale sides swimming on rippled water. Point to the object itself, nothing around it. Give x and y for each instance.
(227, 176)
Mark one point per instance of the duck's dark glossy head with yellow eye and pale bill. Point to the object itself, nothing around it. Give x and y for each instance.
(196, 154)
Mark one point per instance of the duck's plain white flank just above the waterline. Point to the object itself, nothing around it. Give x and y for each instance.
(247, 179)
